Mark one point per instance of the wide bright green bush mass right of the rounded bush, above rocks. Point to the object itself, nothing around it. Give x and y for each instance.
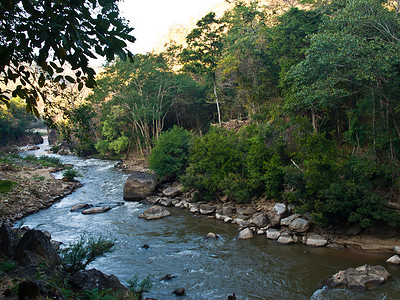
(239, 165)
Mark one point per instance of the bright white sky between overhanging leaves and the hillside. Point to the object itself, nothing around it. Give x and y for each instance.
(153, 18)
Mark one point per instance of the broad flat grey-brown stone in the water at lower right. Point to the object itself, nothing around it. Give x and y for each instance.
(363, 277)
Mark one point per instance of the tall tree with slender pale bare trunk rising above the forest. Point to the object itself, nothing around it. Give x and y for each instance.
(203, 50)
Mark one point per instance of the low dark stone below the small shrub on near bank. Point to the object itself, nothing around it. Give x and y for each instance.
(95, 280)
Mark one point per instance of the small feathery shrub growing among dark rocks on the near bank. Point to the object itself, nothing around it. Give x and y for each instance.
(77, 256)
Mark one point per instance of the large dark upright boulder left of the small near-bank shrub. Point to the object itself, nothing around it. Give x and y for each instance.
(35, 248)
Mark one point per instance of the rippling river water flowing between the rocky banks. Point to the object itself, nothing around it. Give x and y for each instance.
(207, 269)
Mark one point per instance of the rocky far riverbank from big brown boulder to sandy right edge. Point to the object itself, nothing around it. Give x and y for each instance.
(276, 221)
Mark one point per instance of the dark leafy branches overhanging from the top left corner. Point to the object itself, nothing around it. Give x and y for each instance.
(41, 39)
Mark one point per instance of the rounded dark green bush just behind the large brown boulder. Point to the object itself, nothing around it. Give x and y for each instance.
(169, 156)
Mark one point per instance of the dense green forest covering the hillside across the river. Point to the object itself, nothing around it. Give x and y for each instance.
(318, 87)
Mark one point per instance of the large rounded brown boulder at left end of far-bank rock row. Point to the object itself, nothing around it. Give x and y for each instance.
(139, 185)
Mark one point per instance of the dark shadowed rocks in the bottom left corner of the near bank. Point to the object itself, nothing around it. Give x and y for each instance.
(35, 254)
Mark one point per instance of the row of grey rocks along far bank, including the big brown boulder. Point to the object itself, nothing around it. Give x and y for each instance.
(277, 223)
